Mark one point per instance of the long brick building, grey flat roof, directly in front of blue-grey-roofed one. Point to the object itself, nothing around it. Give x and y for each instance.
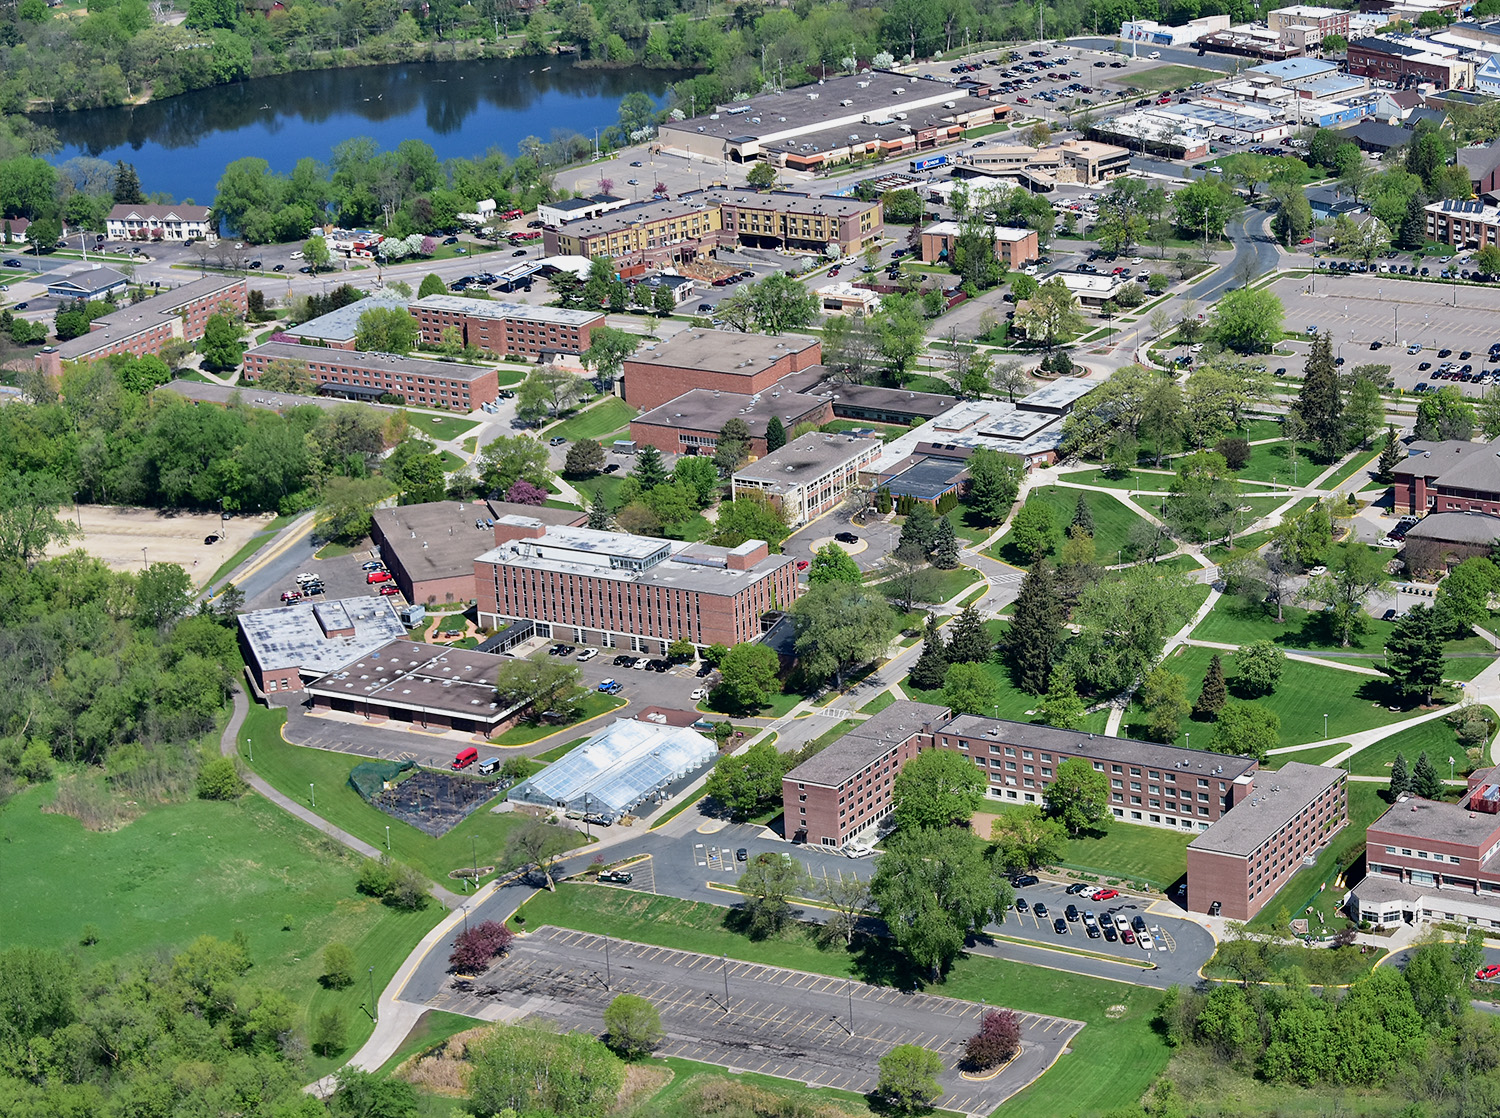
(371, 376)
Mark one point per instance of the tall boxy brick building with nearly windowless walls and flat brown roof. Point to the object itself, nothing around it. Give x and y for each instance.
(719, 361)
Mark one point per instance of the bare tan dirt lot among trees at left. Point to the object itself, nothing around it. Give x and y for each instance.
(128, 538)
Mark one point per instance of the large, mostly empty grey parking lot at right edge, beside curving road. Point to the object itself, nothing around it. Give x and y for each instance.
(1361, 311)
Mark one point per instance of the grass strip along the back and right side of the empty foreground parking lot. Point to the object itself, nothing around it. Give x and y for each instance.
(1109, 1065)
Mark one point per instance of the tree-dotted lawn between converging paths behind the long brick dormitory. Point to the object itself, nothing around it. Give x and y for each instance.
(1306, 694)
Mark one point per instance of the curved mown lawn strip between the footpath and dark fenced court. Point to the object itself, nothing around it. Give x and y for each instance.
(290, 769)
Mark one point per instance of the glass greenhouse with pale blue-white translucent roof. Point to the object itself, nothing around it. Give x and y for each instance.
(620, 768)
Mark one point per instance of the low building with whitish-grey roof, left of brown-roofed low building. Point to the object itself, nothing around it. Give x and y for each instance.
(292, 646)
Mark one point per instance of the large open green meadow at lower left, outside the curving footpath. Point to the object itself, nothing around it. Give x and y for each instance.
(200, 868)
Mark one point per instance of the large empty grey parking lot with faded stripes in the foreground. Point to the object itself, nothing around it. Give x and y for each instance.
(751, 1018)
